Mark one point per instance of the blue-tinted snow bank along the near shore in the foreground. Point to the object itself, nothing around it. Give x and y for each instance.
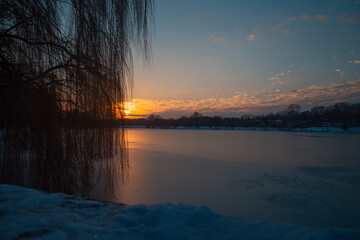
(26, 213)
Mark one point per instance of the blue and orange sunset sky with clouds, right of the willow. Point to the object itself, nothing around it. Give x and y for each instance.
(234, 57)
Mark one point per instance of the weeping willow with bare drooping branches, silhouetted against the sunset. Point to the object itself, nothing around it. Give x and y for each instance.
(65, 66)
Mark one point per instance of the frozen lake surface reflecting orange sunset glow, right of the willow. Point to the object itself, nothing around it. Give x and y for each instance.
(311, 179)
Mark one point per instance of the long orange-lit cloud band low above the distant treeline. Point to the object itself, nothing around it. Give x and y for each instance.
(252, 103)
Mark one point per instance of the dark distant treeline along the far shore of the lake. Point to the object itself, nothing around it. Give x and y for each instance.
(340, 114)
